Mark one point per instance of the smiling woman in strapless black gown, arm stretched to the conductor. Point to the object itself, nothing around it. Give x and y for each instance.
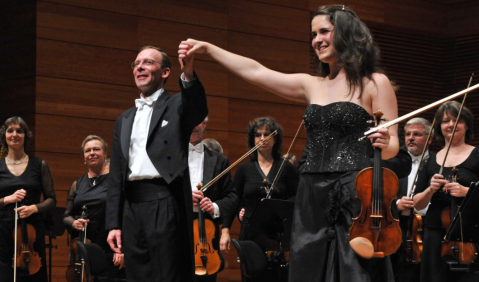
(350, 87)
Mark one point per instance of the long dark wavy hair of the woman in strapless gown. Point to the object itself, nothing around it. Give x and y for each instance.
(357, 54)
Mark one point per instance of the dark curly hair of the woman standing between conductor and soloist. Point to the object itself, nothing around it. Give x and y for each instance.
(271, 124)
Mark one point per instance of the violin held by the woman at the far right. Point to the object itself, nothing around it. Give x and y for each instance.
(463, 253)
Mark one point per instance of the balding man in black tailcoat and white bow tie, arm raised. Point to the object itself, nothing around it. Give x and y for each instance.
(148, 212)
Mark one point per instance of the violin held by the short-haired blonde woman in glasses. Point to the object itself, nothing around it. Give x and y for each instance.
(76, 267)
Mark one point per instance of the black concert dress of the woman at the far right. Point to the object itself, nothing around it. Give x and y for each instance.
(433, 268)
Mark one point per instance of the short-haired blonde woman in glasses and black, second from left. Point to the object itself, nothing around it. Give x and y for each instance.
(90, 191)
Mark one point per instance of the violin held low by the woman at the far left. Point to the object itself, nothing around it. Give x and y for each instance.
(26, 260)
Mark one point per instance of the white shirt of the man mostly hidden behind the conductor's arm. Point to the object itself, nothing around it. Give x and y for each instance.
(196, 160)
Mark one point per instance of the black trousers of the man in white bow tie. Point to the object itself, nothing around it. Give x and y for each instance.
(155, 234)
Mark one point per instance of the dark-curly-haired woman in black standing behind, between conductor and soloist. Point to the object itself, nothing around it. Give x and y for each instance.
(265, 163)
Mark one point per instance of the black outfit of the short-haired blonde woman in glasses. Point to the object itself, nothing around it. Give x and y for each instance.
(91, 193)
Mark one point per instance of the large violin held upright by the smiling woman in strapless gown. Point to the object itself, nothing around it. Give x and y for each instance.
(375, 232)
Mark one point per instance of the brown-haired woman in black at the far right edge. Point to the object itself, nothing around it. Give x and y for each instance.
(428, 188)
